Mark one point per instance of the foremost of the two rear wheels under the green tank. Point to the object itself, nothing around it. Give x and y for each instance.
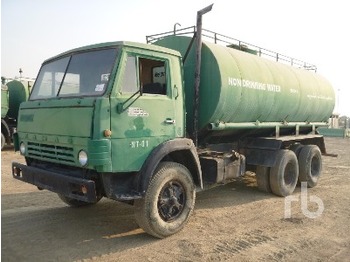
(284, 175)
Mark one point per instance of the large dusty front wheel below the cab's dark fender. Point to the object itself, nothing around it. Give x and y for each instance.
(168, 202)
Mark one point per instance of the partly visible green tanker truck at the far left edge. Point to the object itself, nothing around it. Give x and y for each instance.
(13, 93)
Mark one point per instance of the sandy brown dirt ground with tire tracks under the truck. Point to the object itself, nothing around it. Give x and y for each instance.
(235, 222)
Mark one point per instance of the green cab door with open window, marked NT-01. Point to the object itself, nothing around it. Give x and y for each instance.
(143, 111)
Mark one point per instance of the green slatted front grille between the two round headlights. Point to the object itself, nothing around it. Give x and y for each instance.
(51, 152)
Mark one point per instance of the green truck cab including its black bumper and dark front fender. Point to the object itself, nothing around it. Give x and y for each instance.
(100, 119)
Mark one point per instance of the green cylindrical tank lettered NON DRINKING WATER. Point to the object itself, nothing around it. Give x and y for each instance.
(238, 87)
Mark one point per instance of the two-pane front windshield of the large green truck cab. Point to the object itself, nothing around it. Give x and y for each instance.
(82, 74)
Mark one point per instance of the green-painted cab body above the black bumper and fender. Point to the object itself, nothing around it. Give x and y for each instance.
(56, 128)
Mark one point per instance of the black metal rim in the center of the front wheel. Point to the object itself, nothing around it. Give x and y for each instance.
(171, 201)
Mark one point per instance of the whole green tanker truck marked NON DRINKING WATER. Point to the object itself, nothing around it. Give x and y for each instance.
(153, 124)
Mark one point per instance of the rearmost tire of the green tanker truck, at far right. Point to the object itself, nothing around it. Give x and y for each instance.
(310, 165)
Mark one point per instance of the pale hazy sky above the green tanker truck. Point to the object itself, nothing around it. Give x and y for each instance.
(309, 30)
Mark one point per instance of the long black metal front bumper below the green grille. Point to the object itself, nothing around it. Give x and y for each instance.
(73, 187)
